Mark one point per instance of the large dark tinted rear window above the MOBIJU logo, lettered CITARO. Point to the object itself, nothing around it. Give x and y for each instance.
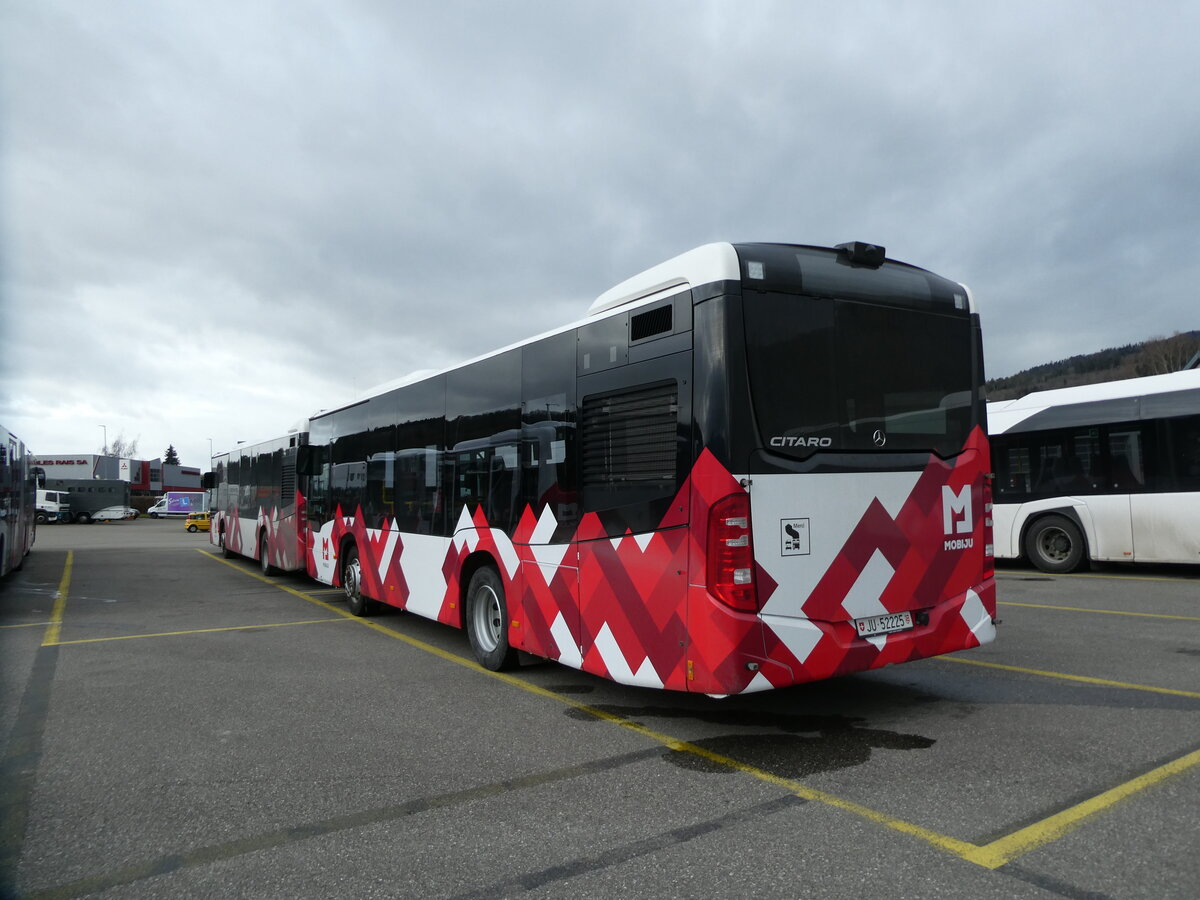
(842, 376)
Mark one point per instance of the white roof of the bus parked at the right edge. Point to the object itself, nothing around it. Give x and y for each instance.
(1173, 394)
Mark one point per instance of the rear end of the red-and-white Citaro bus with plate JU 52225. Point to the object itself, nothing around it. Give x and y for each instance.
(843, 490)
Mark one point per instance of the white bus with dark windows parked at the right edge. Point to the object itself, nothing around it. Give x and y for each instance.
(1107, 472)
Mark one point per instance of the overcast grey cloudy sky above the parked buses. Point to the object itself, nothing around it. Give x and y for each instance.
(218, 218)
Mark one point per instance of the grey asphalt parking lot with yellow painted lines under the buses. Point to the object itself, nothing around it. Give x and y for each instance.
(178, 725)
